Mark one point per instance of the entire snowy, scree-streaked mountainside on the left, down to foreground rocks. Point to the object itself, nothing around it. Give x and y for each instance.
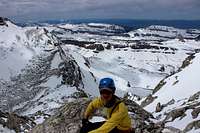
(32, 66)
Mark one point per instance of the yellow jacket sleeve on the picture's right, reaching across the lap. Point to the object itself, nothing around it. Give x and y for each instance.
(113, 121)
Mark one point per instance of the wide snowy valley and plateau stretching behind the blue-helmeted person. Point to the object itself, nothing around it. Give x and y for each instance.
(136, 66)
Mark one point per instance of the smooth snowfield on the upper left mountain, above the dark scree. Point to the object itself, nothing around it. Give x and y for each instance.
(18, 45)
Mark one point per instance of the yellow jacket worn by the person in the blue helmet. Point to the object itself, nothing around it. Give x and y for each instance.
(119, 118)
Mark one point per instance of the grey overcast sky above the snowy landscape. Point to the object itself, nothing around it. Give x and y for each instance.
(33, 10)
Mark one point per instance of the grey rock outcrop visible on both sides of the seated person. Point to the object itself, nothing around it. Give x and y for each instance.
(68, 118)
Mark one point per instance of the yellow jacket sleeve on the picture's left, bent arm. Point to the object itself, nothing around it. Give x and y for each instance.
(95, 104)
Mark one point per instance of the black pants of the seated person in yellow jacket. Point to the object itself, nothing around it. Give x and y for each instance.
(92, 126)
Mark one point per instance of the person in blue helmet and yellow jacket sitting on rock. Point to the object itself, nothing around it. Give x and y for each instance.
(118, 120)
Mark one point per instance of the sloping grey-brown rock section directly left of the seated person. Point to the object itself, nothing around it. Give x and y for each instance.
(67, 120)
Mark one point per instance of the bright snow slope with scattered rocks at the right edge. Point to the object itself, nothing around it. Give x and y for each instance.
(179, 99)
